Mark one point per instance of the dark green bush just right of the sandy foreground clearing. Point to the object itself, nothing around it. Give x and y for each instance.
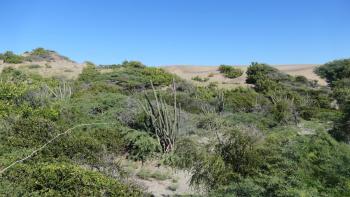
(235, 156)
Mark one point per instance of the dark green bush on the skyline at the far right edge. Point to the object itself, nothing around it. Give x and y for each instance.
(335, 70)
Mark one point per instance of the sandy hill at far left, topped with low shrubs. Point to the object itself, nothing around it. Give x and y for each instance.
(48, 64)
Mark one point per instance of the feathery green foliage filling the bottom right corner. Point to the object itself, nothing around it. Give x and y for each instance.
(297, 164)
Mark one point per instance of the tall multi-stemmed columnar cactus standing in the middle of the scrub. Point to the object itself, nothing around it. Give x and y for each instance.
(162, 120)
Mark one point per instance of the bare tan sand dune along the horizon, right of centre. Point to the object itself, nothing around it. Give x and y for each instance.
(188, 72)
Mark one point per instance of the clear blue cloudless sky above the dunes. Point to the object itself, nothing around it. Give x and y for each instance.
(164, 32)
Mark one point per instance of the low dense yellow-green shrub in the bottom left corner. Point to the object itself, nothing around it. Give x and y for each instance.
(63, 179)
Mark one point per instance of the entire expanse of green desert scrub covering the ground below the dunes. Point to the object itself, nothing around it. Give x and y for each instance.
(106, 133)
